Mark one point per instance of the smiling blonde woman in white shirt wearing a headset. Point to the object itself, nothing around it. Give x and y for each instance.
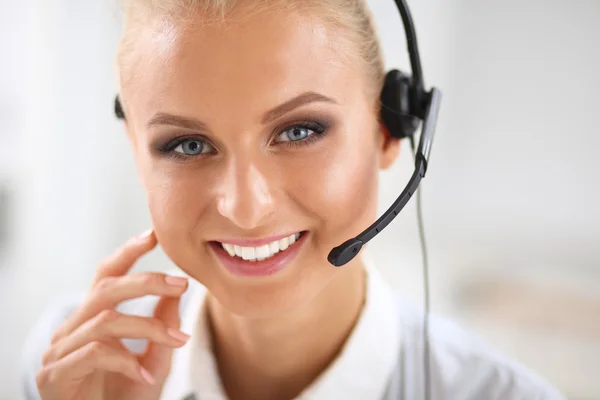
(252, 124)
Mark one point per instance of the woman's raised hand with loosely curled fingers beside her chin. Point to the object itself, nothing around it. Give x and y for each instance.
(86, 359)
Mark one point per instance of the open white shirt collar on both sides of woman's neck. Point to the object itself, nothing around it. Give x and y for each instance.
(361, 371)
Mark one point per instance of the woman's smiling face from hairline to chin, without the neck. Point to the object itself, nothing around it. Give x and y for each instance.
(254, 131)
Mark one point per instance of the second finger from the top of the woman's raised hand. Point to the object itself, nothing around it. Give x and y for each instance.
(111, 291)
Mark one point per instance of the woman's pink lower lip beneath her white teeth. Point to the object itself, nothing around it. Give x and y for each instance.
(270, 266)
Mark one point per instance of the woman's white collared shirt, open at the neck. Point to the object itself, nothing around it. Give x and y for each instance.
(381, 360)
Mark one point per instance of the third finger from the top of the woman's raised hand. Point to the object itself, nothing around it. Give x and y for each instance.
(110, 325)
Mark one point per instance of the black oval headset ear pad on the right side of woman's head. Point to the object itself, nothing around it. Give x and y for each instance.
(398, 110)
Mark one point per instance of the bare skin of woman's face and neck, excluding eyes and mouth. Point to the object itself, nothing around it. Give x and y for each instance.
(250, 184)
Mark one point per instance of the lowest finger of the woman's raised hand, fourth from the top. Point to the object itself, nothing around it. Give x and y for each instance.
(92, 357)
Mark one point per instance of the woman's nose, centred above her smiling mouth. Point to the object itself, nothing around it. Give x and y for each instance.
(245, 197)
